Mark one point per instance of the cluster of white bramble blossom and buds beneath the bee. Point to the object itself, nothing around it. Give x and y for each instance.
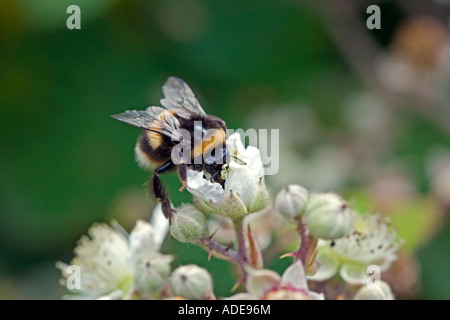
(336, 242)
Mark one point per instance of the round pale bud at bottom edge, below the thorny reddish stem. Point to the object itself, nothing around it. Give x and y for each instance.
(191, 282)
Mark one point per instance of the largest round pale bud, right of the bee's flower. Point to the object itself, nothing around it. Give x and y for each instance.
(328, 216)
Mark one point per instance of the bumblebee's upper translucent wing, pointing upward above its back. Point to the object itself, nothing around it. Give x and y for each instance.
(179, 97)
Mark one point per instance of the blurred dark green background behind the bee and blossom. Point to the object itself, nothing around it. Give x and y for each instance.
(361, 112)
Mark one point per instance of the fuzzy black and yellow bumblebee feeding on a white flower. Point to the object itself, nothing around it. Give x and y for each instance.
(177, 137)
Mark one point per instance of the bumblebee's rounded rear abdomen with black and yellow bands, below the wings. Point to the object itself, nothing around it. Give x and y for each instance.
(152, 149)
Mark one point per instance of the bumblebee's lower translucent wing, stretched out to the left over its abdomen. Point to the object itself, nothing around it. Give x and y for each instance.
(153, 119)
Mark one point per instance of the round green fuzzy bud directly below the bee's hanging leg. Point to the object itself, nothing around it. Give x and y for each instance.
(188, 224)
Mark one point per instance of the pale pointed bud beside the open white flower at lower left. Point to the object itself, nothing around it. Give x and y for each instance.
(151, 274)
